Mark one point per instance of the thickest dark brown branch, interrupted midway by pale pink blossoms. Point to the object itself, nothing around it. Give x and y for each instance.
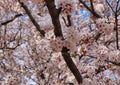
(58, 33)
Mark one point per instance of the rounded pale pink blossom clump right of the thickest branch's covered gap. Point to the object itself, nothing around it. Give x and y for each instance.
(71, 39)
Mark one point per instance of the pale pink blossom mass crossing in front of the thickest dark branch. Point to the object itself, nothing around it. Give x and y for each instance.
(71, 38)
